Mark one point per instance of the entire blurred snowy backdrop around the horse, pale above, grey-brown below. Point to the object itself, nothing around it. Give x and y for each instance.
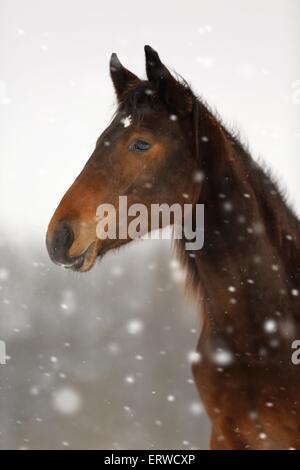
(102, 360)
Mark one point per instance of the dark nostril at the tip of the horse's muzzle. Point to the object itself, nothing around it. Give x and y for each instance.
(60, 242)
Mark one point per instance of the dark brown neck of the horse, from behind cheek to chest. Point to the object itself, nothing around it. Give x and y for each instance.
(249, 264)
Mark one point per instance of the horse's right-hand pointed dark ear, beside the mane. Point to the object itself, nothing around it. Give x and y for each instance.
(176, 95)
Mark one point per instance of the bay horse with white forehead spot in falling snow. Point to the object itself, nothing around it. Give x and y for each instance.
(246, 278)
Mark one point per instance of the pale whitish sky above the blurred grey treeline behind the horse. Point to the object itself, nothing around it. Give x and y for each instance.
(56, 96)
